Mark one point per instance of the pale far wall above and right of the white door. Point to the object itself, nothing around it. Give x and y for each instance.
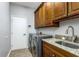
(24, 12)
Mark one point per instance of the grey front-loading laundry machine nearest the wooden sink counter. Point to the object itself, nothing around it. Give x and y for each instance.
(37, 44)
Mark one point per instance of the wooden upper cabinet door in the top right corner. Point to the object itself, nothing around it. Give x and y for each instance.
(73, 8)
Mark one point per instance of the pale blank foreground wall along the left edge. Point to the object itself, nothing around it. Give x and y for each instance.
(5, 42)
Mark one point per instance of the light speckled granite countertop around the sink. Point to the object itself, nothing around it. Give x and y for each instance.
(52, 41)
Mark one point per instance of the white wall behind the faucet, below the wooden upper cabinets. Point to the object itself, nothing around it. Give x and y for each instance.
(62, 28)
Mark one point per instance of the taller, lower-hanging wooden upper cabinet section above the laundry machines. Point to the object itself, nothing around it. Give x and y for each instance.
(46, 16)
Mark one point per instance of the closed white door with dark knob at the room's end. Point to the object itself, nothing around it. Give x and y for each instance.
(19, 33)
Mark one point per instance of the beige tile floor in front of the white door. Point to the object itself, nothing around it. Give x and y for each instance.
(20, 53)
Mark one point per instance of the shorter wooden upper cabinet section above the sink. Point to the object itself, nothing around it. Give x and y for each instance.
(69, 11)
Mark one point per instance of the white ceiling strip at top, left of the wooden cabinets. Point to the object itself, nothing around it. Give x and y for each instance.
(32, 5)
